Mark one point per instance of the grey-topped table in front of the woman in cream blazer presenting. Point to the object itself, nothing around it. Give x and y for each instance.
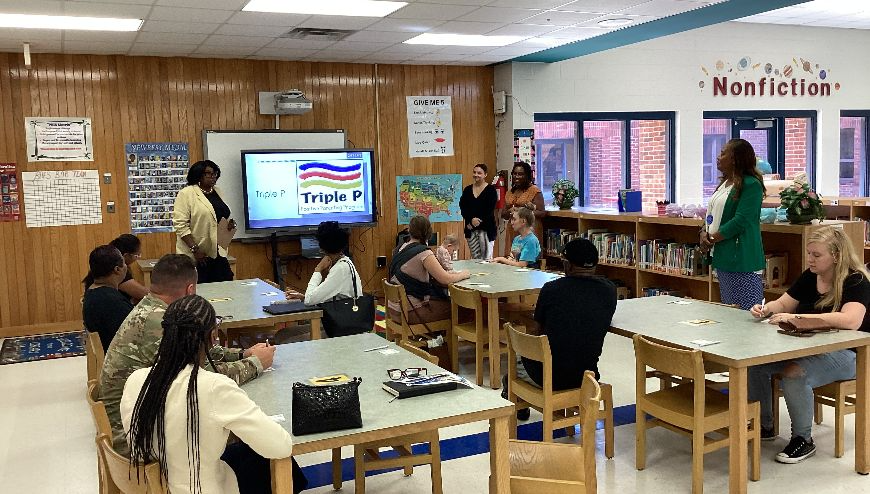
(240, 303)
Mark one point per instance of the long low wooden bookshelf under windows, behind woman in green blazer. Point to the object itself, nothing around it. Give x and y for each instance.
(776, 237)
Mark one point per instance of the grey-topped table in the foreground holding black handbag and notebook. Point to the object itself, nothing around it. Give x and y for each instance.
(382, 417)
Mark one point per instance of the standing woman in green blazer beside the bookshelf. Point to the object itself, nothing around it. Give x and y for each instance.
(732, 230)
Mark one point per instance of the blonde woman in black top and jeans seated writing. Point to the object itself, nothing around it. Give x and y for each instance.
(835, 289)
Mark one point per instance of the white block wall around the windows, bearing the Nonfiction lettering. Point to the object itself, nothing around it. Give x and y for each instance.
(663, 75)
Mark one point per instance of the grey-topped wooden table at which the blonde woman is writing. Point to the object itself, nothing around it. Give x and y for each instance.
(743, 341)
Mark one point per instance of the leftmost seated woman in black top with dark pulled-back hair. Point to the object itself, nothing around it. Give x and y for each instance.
(104, 307)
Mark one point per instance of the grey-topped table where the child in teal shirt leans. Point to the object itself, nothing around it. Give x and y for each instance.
(500, 280)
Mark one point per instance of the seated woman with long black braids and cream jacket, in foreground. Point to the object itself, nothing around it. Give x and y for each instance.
(181, 415)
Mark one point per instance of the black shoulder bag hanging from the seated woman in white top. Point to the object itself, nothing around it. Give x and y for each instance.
(347, 316)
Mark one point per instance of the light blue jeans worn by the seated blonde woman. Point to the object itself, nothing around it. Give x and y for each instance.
(816, 370)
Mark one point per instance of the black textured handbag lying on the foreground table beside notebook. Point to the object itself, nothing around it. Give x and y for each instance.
(326, 408)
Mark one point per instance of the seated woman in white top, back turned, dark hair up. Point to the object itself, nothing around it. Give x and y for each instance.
(335, 273)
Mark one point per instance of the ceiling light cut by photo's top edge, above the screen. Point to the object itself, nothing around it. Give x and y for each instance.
(355, 8)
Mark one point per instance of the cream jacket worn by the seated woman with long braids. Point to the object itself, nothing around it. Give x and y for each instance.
(223, 407)
